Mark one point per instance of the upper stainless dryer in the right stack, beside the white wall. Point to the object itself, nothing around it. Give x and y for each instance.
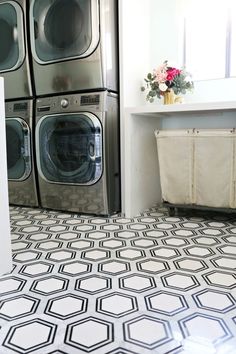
(74, 45)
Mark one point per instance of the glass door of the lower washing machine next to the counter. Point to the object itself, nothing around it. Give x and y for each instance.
(69, 148)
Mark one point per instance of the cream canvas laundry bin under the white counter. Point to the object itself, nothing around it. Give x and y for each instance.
(198, 166)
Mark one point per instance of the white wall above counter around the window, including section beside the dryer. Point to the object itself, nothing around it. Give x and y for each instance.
(151, 31)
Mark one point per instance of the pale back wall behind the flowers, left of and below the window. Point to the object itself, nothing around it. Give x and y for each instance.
(166, 34)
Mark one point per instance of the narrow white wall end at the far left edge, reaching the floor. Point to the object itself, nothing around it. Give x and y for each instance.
(5, 240)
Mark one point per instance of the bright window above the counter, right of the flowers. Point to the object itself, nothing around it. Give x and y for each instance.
(210, 38)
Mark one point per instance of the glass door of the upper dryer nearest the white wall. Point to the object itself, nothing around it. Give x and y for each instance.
(62, 29)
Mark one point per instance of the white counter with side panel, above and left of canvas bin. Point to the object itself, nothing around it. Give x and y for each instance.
(139, 164)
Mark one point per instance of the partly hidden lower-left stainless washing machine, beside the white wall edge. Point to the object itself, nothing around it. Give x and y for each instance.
(20, 153)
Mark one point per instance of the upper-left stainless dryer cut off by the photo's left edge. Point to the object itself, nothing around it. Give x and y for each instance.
(14, 59)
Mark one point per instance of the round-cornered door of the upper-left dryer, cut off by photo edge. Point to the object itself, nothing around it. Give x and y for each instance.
(12, 49)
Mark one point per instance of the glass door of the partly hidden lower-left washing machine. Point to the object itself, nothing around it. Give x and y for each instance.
(18, 149)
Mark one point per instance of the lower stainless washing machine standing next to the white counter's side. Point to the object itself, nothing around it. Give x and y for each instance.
(77, 152)
